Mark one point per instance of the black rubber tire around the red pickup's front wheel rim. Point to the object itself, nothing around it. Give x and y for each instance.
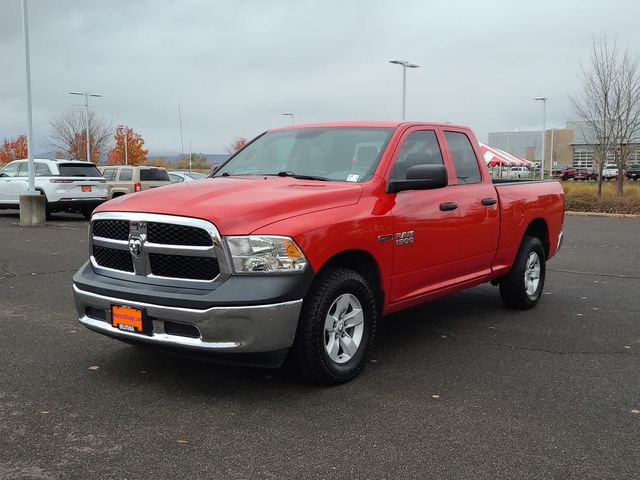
(308, 356)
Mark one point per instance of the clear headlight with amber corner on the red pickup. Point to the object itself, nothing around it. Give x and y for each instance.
(263, 253)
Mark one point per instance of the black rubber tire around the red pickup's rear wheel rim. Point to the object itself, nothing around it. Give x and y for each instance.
(513, 286)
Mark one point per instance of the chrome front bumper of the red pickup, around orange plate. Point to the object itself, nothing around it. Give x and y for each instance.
(250, 329)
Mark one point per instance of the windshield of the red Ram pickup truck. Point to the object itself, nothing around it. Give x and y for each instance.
(338, 154)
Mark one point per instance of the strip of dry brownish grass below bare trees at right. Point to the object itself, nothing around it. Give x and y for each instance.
(583, 197)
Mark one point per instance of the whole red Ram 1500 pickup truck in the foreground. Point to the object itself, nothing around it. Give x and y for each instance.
(302, 240)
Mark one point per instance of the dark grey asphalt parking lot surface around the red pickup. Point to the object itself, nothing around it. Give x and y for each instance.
(459, 388)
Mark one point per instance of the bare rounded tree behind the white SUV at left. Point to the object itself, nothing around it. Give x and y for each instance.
(67, 135)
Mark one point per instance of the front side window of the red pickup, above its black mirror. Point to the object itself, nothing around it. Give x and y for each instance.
(419, 148)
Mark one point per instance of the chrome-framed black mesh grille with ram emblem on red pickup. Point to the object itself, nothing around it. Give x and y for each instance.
(156, 248)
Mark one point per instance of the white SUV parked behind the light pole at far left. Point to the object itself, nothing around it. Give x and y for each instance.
(68, 185)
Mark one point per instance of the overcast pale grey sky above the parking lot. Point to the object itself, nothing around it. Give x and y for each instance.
(236, 66)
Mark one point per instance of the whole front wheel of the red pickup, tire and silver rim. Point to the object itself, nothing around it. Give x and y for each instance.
(336, 328)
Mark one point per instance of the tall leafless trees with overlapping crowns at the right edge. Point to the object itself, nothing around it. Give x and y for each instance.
(609, 104)
